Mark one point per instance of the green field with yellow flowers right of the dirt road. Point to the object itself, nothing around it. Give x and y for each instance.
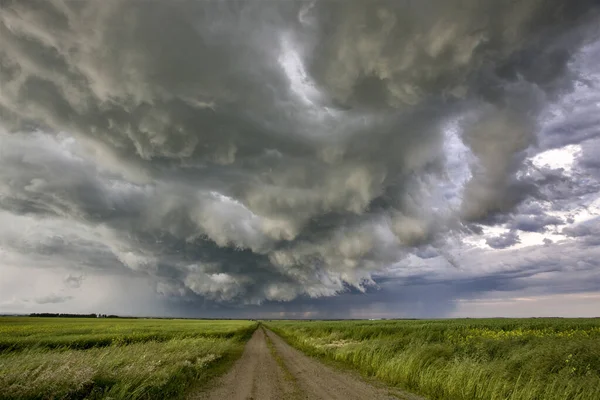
(542, 359)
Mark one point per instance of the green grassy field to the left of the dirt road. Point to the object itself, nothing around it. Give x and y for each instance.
(76, 358)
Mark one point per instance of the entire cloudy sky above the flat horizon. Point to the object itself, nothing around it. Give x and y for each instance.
(434, 158)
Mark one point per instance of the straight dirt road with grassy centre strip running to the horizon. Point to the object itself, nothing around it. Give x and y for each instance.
(272, 369)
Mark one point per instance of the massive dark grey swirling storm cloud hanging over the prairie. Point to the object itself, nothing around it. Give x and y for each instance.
(244, 152)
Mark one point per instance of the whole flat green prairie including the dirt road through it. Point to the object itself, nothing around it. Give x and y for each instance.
(77, 358)
